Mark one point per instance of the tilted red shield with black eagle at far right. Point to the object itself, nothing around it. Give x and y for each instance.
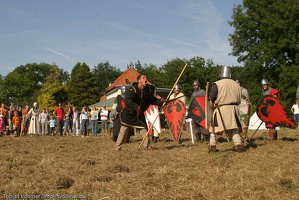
(271, 111)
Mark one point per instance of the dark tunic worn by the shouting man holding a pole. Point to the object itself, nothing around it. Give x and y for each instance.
(135, 97)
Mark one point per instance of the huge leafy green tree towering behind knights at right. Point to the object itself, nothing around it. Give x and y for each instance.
(266, 39)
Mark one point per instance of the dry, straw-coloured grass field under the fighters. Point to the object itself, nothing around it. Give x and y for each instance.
(90, 166)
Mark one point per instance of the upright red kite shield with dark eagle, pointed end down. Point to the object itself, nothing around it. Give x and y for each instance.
(175, 112)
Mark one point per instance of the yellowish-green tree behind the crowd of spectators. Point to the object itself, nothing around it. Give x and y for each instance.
(53, 91)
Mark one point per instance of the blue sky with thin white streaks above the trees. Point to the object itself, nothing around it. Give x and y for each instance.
(65, 32)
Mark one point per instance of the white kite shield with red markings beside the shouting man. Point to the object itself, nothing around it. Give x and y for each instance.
(151, 115)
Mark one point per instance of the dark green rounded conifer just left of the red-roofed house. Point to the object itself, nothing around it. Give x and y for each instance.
(81, 88)
